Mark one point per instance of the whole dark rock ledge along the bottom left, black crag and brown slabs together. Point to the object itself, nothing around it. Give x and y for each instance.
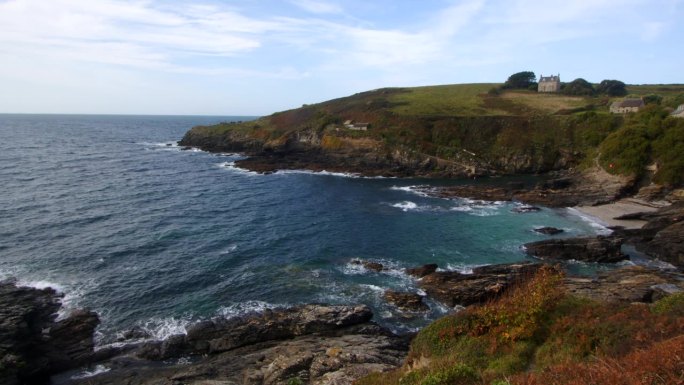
(314, 343)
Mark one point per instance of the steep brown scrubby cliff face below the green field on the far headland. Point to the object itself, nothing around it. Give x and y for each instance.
(449, 147)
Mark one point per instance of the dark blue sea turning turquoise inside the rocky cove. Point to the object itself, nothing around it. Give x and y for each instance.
(111, 212)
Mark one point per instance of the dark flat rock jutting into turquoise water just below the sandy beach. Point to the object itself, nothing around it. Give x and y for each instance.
(588, 249)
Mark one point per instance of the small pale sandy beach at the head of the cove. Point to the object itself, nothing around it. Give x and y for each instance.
(606, 214)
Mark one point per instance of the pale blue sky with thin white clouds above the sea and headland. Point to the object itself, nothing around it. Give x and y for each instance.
(255, 57)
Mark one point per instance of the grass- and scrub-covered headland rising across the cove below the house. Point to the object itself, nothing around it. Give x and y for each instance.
(478, 127)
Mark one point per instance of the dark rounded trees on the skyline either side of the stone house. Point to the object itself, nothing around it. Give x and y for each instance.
(580, 87)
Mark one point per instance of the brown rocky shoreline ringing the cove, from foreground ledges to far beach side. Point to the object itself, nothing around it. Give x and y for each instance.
(322, 344)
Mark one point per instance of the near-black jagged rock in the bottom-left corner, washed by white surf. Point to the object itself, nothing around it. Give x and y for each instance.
(33, 345)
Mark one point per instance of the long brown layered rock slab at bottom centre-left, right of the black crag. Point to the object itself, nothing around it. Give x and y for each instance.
(306, 344)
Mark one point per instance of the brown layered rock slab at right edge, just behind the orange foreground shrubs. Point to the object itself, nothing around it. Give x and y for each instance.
(627, 284)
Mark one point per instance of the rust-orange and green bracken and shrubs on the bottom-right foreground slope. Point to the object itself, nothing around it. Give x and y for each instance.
(537, 334)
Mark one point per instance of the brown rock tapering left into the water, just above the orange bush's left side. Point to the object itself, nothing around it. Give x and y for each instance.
(486, 282)
